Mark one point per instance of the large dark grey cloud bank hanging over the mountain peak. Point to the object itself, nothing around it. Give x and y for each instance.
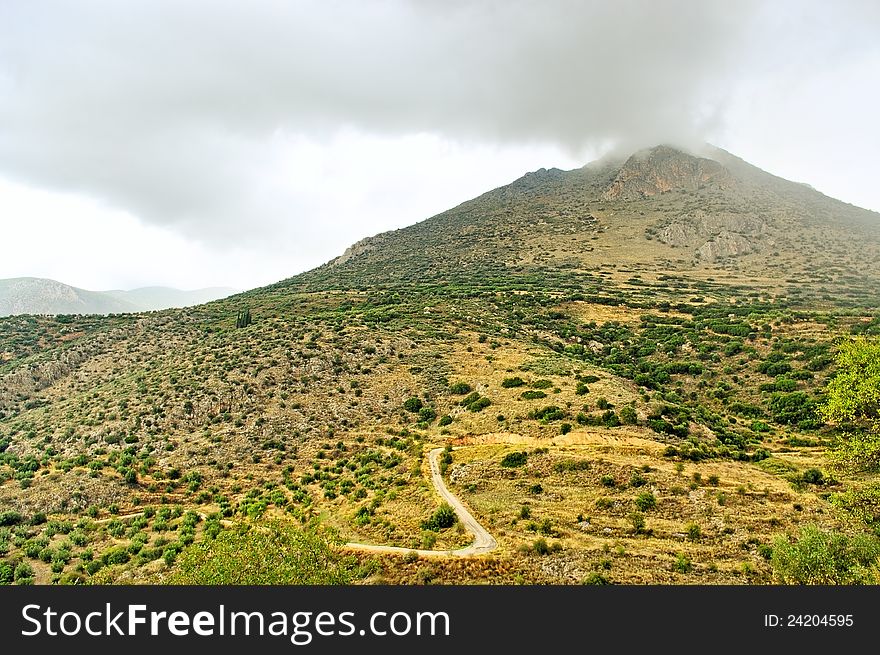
(167, 109)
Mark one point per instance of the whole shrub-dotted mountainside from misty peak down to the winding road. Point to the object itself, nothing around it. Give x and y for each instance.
(622, 364)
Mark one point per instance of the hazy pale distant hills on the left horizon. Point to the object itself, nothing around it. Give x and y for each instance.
(30, 295)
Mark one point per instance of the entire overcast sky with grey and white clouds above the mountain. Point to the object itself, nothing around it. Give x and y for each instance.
(212, 143)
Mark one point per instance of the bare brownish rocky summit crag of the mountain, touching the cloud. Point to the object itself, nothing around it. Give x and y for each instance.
(665, 168)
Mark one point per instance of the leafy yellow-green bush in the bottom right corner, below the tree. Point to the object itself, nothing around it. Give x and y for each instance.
(826, 558)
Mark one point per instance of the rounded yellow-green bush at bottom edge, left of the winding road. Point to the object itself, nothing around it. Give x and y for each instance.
(269, 553)
